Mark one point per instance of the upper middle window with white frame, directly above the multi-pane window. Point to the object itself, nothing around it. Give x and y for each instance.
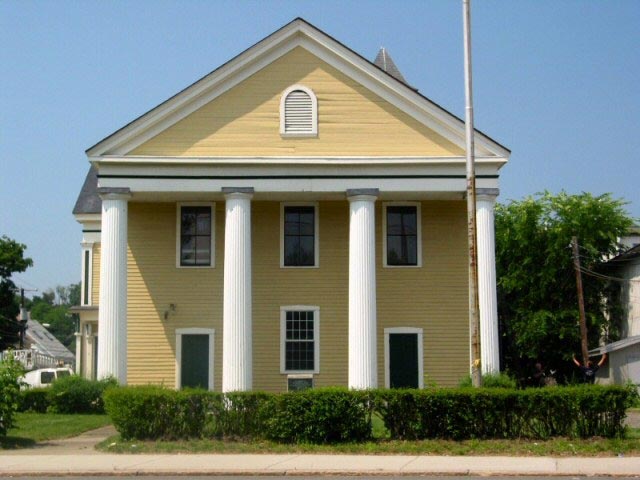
(299, 235)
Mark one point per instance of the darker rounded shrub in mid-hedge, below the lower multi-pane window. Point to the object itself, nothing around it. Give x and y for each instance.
(325, 415)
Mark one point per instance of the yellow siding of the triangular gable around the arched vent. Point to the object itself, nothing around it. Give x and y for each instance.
(246, 119)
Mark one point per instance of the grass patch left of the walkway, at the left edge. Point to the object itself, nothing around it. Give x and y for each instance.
(36, 427)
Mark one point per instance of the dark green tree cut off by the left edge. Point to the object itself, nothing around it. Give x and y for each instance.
(12, 260)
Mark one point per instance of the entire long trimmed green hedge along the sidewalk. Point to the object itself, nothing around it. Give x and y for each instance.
(339, 415)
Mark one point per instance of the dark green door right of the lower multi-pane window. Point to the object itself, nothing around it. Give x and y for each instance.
(403, 360)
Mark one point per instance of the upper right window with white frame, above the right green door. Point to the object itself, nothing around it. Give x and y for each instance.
(402, 234)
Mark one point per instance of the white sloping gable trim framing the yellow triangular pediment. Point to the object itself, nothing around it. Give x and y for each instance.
(298, 32)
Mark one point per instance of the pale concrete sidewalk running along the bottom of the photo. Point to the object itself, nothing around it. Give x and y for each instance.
(111, 464)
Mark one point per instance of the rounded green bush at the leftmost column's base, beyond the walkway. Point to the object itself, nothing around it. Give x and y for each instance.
(75, 394)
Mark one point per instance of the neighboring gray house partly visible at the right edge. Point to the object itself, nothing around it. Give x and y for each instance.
(624, 355)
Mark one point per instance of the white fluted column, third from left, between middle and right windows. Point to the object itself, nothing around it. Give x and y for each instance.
(363, 372)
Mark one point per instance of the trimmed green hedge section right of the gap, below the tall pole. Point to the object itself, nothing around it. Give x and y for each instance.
(468, 413)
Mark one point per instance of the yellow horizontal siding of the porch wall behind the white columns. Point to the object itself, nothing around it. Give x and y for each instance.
(432, 297)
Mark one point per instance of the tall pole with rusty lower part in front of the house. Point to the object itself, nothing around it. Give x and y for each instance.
(474, 314)
